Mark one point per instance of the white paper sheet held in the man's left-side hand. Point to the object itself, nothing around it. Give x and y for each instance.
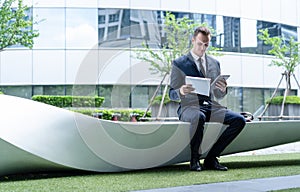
(201, 85)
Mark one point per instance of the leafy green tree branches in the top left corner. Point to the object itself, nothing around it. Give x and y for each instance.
(16, 25)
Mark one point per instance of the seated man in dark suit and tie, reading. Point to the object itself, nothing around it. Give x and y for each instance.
(198, 109)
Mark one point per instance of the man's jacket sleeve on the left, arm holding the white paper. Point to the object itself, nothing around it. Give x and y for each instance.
(177, 79)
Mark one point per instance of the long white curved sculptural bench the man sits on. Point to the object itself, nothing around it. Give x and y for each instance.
(39, 137)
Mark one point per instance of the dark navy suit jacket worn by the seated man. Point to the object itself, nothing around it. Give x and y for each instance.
(185, 66)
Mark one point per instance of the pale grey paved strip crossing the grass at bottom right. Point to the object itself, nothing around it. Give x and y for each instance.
(252, 185)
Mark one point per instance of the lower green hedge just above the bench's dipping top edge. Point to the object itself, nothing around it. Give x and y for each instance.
(107, 114)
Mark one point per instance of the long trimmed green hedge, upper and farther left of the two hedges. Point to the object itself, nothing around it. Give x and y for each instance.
(69, 101)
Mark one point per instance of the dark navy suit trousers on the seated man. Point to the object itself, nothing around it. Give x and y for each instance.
(198, 115)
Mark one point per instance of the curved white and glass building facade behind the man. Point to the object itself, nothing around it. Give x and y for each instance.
(88, 48)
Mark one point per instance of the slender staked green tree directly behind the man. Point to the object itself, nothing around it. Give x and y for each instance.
(178, 33)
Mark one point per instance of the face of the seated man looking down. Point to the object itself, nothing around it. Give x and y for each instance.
(200, 44)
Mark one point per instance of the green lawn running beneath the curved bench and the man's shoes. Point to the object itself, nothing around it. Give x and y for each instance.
(240, 168)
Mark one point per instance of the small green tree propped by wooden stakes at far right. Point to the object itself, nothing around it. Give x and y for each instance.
(286, 53)
